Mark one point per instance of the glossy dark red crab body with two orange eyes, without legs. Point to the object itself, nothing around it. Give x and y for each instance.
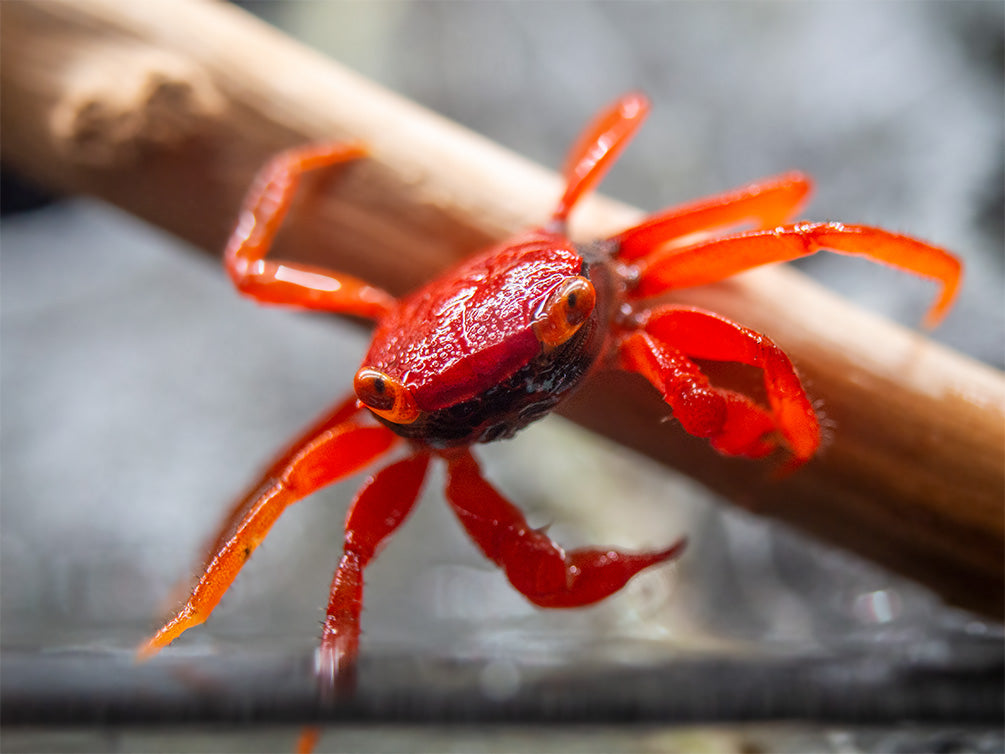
(492, 345)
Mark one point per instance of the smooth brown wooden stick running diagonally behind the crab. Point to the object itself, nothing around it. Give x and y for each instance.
(167, 110)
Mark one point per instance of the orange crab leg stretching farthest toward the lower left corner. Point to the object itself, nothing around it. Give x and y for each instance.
(322, 460)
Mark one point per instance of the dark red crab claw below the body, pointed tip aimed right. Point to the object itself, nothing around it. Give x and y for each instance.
(538, 568)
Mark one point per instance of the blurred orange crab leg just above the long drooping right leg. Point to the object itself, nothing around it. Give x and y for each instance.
(767, 204)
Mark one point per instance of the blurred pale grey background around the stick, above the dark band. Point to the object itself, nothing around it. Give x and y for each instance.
(139, 394)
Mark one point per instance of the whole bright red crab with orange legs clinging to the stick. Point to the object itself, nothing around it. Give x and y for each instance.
(499, 341)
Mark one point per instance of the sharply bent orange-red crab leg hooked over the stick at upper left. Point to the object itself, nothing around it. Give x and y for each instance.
(290, 283)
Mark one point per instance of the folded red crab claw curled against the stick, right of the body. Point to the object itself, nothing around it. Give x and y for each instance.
(662, 350)
